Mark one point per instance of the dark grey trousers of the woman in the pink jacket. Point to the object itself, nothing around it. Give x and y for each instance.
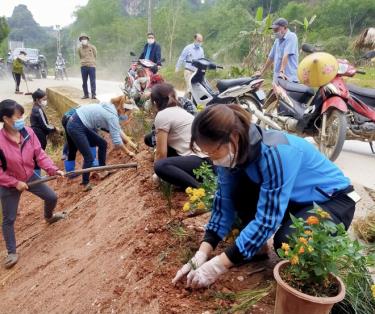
(10, 198)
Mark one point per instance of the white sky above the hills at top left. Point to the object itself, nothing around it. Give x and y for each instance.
(45, 12)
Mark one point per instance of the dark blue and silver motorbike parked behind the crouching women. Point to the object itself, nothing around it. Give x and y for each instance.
(245, 91)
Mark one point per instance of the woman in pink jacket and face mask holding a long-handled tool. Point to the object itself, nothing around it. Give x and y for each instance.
(19, 147)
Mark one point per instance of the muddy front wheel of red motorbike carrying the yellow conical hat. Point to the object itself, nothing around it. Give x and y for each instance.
(336, 127)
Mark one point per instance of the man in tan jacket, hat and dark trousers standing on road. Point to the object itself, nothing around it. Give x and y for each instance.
(87, 55)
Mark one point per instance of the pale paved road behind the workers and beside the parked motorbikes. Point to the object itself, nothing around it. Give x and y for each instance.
(356, 160)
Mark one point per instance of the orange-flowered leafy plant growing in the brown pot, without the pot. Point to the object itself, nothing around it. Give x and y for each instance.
(315, 250)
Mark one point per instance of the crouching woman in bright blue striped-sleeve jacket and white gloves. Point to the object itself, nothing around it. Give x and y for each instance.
(263, 177)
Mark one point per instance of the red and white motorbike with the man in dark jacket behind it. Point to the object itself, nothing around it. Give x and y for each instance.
(151, 69)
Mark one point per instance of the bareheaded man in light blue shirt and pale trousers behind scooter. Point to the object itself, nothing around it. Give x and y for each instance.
(190, 52)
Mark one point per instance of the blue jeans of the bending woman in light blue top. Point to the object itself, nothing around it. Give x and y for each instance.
(83, 139)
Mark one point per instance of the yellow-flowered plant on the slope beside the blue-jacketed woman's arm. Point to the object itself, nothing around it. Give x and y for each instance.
(200, 199)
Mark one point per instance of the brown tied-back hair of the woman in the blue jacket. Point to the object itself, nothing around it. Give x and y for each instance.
(216, 125)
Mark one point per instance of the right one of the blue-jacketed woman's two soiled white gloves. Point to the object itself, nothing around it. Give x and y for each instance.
(207, 274)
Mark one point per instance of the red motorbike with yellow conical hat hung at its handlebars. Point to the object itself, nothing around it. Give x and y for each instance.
(326, 114)
